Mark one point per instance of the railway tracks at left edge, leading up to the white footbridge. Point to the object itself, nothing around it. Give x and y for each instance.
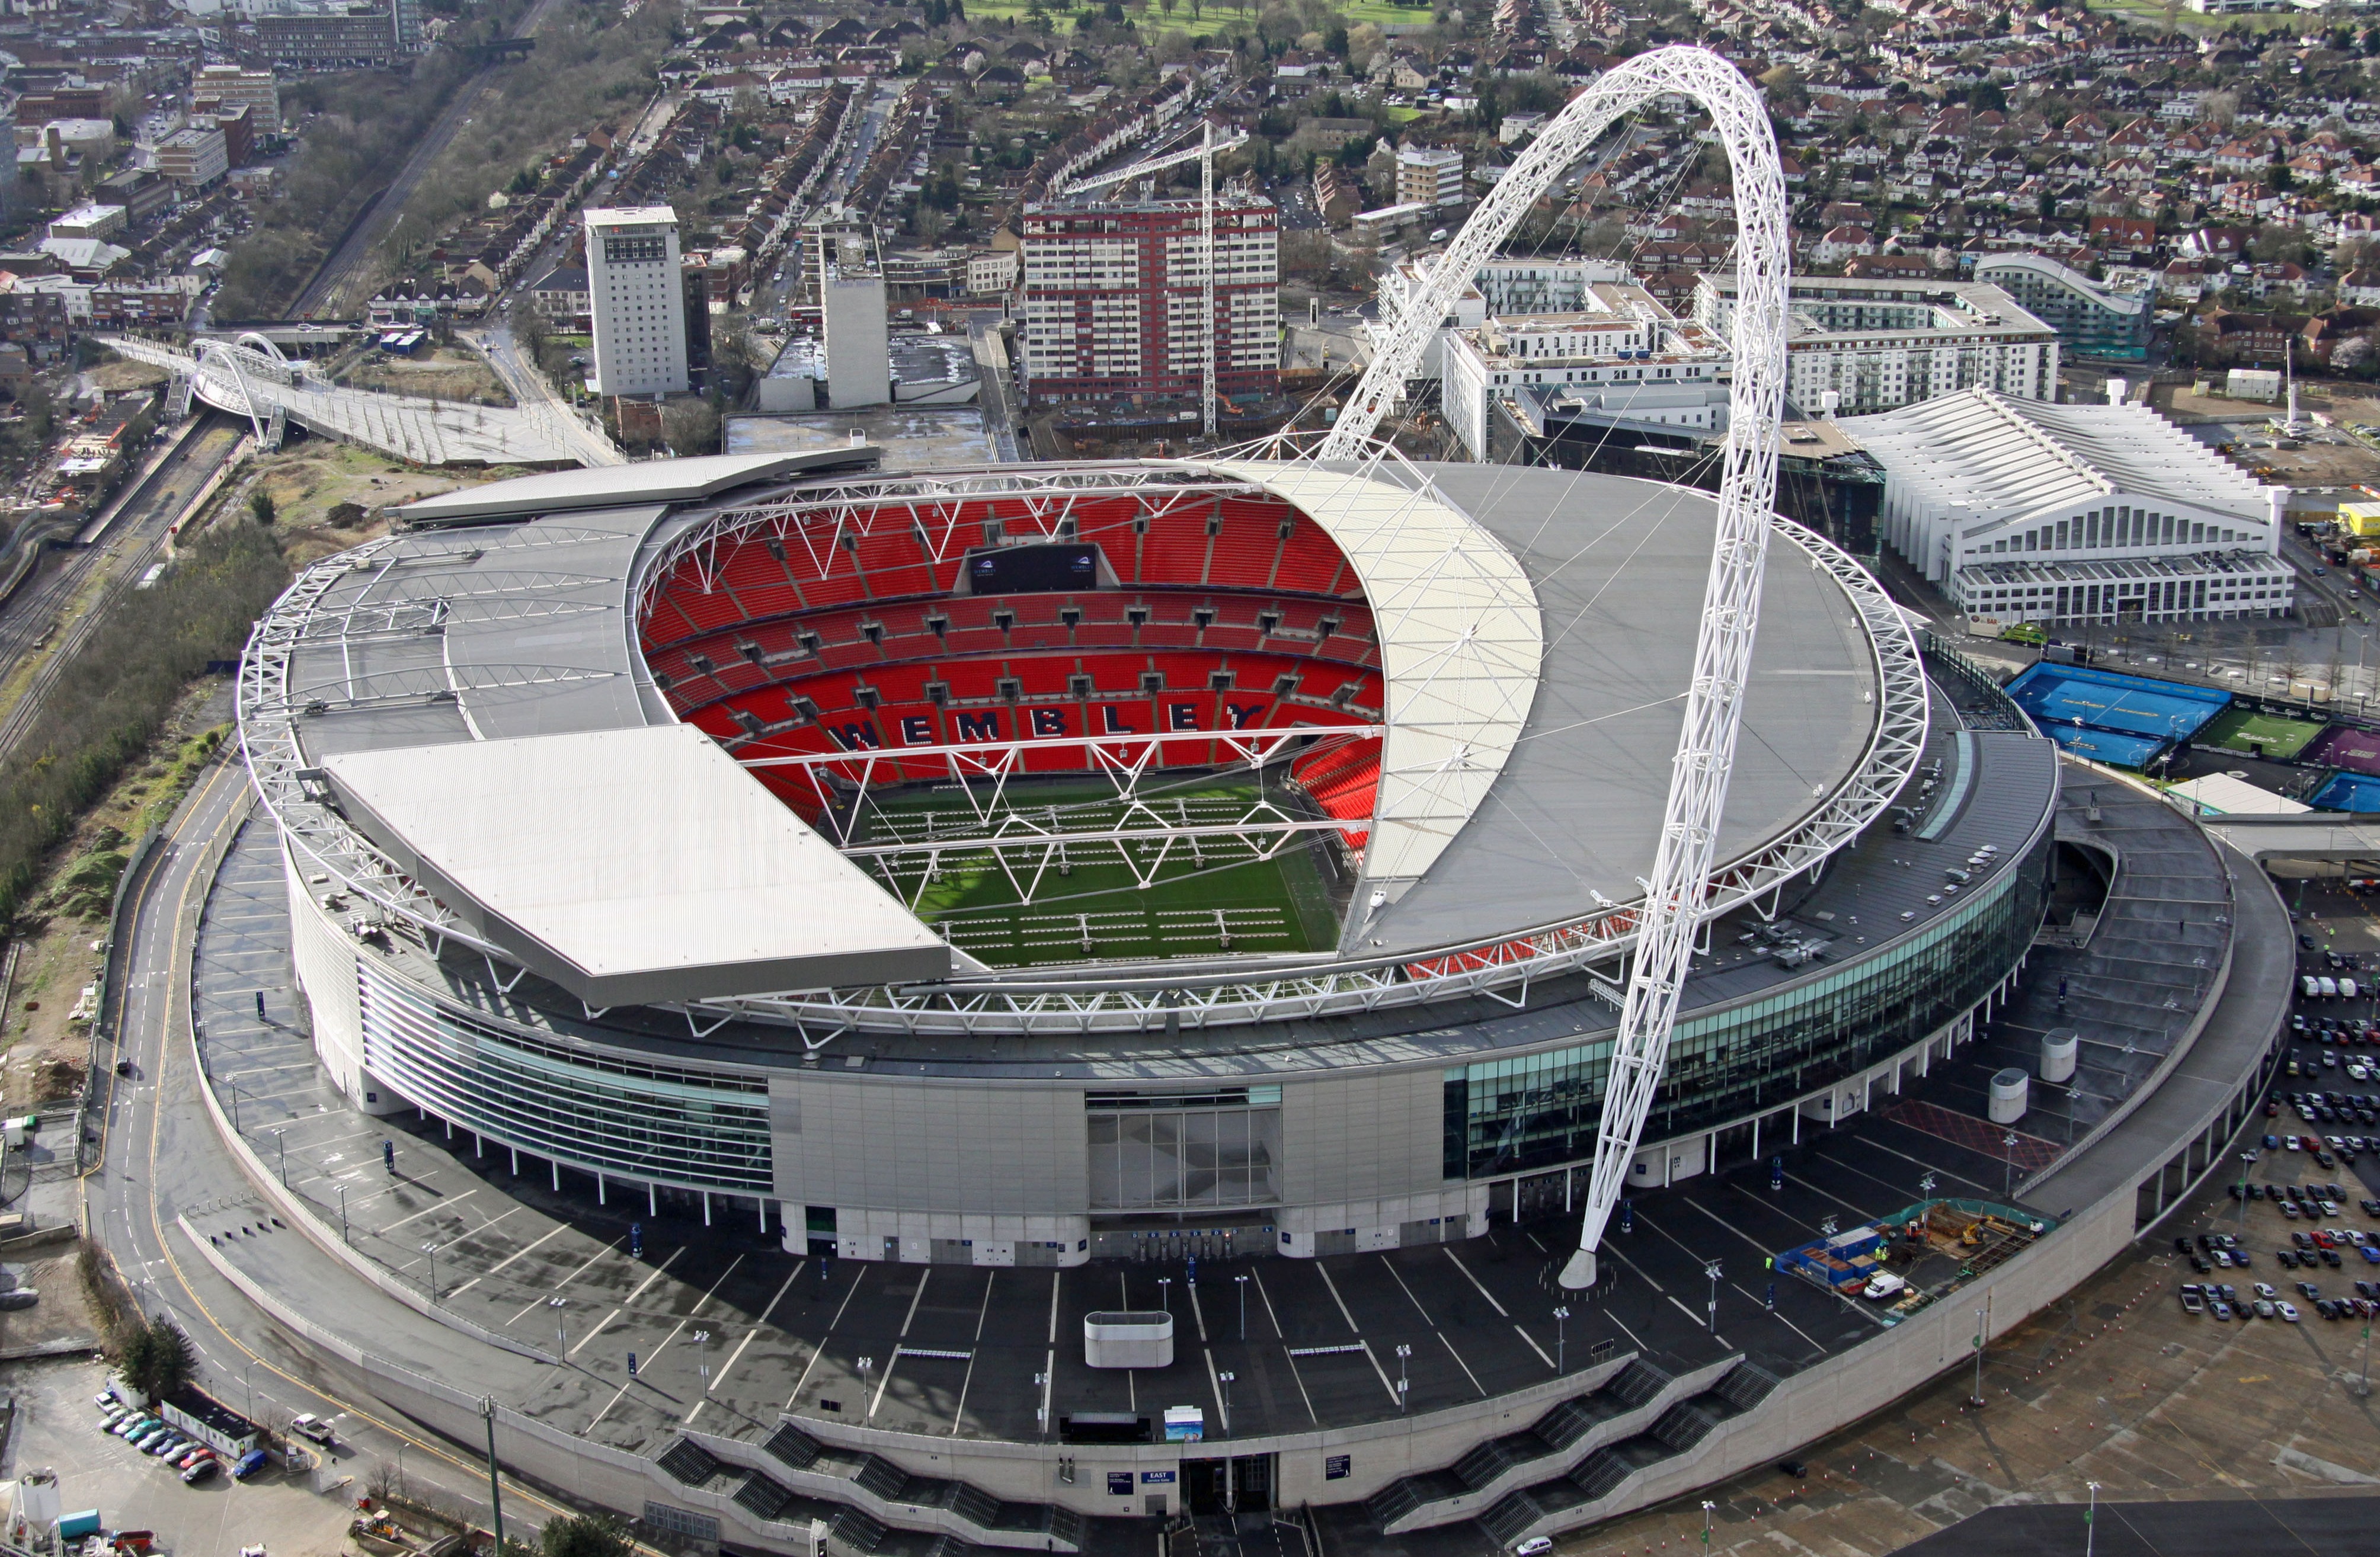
(30, 615)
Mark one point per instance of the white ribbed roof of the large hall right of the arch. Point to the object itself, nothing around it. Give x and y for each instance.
(1993, 456)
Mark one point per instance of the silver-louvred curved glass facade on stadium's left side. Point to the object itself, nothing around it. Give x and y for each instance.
(603, 1113)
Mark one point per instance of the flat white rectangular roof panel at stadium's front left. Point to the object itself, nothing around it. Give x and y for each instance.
(722, 894)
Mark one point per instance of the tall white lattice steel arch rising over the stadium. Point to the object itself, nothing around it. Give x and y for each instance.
(1698, 787)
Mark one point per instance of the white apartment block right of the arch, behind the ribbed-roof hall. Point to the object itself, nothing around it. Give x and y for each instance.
(1874, 346)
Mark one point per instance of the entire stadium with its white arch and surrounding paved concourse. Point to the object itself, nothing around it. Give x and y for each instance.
(1432, 896)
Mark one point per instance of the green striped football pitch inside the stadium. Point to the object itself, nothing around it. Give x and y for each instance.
(1086, 901)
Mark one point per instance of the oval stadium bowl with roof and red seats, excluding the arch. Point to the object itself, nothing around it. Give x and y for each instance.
(1010, 865)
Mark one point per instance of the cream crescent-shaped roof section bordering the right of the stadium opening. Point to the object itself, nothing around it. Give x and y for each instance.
(1460, 651)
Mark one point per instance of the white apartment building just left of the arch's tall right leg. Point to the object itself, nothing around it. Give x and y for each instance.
(1627, 358)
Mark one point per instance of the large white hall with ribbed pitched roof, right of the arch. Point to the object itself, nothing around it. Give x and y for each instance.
(2074, 513)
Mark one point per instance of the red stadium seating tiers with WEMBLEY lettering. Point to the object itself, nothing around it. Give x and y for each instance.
(822, 639)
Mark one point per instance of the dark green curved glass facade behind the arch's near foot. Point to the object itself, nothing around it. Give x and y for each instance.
(1541, 1111)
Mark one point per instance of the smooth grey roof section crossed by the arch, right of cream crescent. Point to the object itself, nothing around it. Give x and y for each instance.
(1620, 573)
